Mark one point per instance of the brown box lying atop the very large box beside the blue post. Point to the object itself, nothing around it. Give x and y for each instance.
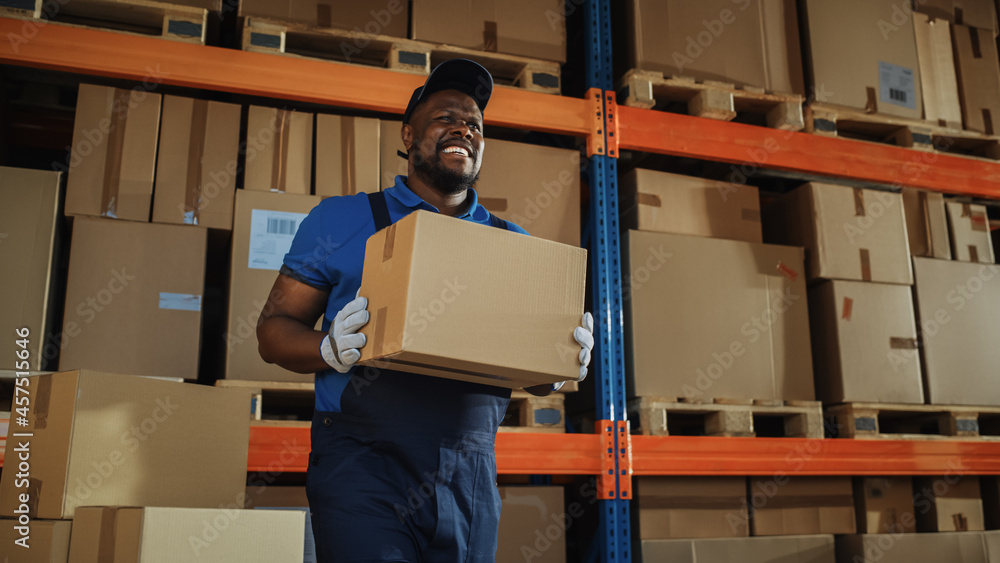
(672, 203)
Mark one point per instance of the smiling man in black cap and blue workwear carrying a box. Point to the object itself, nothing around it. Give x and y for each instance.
(402, 465)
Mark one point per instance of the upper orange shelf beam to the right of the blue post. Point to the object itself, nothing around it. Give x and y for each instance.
(756, 147)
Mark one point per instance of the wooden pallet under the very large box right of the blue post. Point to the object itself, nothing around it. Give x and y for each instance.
(667, 416)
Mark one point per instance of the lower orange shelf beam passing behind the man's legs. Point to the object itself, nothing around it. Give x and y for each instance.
(282, 449)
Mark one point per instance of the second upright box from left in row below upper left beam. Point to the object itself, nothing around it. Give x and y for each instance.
(196, 166)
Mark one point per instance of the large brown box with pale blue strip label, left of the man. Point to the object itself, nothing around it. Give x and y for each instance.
(134, 298)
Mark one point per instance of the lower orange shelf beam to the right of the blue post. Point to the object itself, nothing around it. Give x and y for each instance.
(682, 455)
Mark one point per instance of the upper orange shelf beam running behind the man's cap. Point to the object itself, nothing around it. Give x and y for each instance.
(160, 61)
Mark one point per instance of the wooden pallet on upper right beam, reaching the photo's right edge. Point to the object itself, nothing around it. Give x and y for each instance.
(917, 134)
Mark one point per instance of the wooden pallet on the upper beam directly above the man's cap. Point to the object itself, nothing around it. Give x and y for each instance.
(395, 53)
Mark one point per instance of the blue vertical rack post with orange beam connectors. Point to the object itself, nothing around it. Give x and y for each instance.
(614, 483)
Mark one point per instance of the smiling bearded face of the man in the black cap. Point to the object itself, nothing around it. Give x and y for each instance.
(444, 139)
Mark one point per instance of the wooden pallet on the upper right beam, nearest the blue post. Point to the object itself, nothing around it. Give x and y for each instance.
(714, 100)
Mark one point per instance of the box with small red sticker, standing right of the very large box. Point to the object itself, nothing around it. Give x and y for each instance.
(864, 343)
